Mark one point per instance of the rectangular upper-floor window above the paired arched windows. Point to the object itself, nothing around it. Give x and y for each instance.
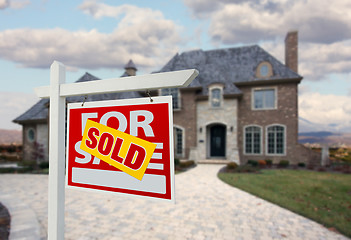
(264, 98)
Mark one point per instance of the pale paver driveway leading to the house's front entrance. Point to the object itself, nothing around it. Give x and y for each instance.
(205, 208)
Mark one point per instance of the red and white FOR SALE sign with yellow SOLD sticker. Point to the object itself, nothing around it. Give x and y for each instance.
(122, 146)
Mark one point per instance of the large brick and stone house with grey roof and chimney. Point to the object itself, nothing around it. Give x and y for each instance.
(242, 106)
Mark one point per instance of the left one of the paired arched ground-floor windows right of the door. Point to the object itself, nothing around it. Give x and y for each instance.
(253, 140)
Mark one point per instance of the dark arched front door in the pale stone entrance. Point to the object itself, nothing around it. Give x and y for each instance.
(217, 141)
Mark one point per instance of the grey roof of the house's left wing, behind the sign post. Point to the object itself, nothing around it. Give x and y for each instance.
(39, 111)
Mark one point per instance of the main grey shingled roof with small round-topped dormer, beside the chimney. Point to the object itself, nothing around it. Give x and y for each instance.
(229, 67)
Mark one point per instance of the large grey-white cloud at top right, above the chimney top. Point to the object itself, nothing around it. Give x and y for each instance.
(251, 21)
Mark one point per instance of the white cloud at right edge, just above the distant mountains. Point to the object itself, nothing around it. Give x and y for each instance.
(329, 112)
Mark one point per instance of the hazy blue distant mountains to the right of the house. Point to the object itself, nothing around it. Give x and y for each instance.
(325, 137)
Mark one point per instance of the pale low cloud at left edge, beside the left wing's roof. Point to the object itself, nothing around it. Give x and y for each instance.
(13, 105)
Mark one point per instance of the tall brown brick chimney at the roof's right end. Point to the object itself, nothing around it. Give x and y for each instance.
(291, 50)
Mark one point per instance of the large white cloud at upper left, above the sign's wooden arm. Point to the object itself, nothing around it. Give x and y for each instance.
(143, 35)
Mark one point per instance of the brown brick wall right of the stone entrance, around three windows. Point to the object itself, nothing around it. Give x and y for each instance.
(285, 114)
